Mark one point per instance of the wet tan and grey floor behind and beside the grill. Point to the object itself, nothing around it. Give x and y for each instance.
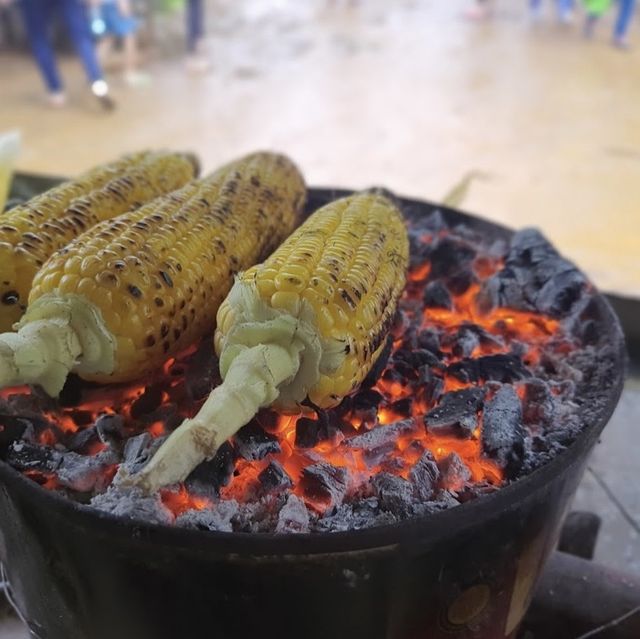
(413, 98)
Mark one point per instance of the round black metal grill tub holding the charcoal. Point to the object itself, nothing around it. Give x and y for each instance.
(468, 572)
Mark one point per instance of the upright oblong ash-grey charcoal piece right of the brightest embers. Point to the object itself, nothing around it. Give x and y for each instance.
(502, 432)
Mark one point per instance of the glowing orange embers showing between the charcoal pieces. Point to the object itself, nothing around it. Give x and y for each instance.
(503, 326)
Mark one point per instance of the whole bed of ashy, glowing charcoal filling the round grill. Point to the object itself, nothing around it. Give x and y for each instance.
(493, 366)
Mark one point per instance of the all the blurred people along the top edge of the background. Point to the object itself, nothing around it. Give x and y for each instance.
(93, 27)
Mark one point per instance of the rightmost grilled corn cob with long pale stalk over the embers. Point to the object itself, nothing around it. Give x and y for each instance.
(309, 323)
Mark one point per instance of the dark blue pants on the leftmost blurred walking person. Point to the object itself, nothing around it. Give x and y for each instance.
(37, 16)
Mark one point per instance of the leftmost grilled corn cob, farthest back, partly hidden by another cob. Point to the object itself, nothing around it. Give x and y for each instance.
(32, 232)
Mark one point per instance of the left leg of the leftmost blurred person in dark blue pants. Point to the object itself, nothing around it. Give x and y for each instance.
(37, 17)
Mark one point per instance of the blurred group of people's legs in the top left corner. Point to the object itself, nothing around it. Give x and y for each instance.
(93, 26)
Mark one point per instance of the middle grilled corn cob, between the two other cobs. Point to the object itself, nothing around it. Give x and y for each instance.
(115, 303)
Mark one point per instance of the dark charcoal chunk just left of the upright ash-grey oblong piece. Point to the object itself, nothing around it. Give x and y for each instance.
(456, 414)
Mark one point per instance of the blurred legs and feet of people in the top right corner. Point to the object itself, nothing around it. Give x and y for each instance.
(567, 10)
